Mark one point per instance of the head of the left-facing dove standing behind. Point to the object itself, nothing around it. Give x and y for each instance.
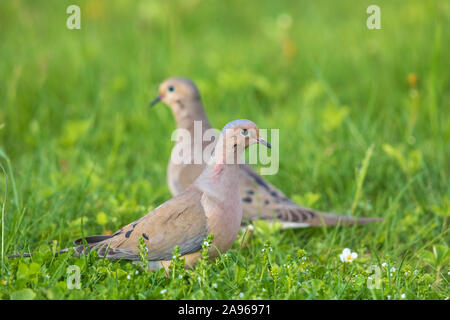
(177, 93)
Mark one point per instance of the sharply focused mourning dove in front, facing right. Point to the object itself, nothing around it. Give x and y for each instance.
(210, 205)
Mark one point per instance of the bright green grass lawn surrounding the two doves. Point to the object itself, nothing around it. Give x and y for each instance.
(87, 155)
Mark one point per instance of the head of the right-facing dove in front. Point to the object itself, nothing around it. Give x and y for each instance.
(236, 136)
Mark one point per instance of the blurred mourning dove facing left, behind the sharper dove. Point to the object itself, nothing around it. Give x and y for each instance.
(261, 200)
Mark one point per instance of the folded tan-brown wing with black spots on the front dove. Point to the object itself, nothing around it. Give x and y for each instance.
(181, 221)
